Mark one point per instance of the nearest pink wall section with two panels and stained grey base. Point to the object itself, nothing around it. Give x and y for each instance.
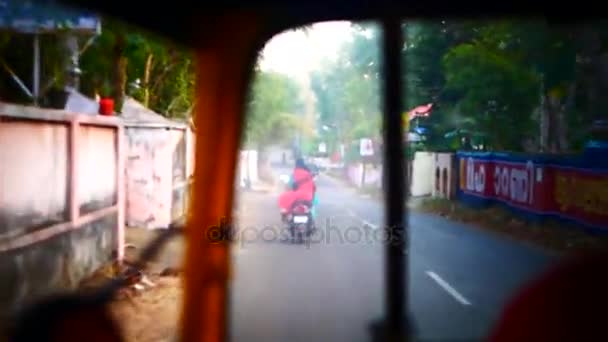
(61, 204)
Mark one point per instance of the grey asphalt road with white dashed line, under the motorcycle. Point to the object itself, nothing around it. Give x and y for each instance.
(332, 288)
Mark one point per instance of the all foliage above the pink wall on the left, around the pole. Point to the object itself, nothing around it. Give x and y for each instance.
(117, 58)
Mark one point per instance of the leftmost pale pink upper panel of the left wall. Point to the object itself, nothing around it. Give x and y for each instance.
(33, 160)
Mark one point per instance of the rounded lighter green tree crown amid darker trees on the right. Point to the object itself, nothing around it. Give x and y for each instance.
(493, 93)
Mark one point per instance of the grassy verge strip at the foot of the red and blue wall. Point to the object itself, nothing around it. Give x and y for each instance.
(550, 234)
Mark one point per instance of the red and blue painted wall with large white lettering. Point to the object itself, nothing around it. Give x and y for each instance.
(569, 188)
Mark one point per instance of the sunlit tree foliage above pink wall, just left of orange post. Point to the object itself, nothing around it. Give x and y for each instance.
(122, 55)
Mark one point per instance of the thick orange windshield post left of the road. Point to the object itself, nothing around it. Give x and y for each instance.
(224, 66)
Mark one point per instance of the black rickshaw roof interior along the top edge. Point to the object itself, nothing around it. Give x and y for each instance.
(187, 22)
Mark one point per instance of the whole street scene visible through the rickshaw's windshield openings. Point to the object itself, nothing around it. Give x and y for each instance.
(506, 137)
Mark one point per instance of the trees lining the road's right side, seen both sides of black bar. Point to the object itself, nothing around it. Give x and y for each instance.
(526, 85)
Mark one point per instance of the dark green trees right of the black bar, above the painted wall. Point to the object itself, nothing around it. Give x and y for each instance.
(523, 74)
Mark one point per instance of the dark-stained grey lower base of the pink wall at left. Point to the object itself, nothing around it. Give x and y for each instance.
(57, 264)
